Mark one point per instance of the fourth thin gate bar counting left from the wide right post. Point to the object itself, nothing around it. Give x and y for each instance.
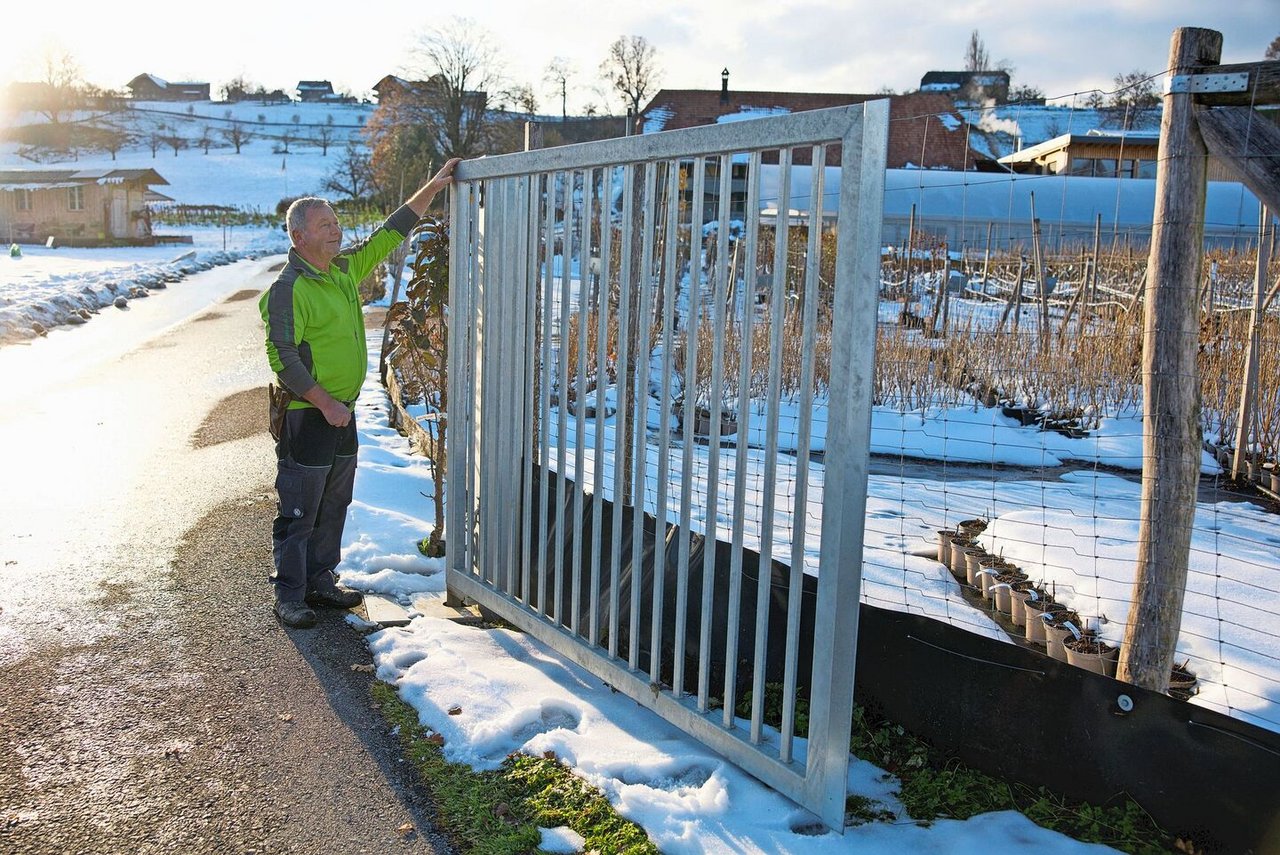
(714, 442)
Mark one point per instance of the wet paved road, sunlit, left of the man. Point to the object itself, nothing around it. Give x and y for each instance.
(149, 701)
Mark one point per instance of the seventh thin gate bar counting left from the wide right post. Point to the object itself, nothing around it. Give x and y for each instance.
(639, 459)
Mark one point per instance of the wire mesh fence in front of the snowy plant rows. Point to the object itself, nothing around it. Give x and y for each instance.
(1007, 433)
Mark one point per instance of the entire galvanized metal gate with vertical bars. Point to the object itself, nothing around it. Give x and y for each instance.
(604, 318)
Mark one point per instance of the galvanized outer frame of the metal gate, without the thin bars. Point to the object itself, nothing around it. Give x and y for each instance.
(821, 784)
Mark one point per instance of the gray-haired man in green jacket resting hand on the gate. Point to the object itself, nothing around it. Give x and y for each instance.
(316, 342)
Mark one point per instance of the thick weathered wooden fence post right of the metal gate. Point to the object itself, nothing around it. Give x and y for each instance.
(1171, 427)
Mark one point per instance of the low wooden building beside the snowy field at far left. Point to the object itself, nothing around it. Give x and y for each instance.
(81, 208)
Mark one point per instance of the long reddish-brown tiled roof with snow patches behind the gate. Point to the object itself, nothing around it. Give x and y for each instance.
(925, 127)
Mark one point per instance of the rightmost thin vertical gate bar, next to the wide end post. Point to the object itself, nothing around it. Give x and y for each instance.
(799, 509)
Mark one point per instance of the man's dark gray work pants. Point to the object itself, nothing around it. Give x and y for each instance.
(316, 475)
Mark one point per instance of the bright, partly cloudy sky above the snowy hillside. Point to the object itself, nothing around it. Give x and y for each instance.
(813, 45)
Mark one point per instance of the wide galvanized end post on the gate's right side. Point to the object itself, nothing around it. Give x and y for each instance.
(840, 564)
